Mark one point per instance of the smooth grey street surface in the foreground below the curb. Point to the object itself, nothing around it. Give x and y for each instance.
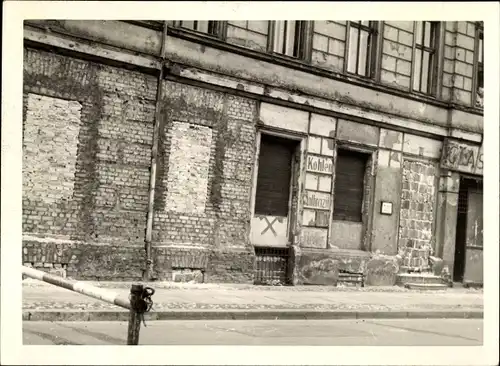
(346, 332)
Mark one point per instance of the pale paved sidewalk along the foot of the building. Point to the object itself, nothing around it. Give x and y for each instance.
(43, 301)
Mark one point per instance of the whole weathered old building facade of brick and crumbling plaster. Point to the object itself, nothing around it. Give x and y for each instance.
(230, 151)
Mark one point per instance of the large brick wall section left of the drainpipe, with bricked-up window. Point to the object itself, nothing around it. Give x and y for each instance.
(89, 215)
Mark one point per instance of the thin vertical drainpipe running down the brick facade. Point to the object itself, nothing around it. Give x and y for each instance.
(148, 273)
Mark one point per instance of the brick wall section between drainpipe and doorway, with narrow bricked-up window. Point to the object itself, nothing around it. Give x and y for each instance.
(211, 174)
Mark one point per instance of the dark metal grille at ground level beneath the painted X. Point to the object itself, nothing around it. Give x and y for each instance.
(272, 266)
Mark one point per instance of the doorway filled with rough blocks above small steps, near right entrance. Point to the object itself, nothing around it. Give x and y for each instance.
(418, 197)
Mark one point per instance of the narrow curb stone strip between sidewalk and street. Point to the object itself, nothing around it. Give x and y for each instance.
(112, 315)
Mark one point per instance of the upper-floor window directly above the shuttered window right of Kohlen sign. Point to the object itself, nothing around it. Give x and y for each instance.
(361, 47)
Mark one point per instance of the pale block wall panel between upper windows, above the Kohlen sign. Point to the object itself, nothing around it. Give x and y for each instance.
(328, 45)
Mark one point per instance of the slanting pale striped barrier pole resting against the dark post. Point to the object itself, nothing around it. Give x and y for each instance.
(80, 287)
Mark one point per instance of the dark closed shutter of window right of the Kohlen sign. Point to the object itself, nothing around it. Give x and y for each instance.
(350, 171)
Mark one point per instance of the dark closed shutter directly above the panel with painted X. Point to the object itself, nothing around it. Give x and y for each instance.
(274, 174)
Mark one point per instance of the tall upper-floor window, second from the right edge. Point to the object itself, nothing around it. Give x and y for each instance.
(425, 56)
